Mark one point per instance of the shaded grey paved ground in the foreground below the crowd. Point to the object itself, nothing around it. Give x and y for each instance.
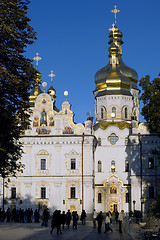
(34, 231)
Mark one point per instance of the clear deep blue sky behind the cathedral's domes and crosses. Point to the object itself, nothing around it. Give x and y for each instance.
(73, 42)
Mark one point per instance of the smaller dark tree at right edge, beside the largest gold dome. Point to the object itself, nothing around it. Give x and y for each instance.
(151, 100)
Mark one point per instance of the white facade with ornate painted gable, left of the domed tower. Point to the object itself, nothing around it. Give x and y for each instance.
(53, 161)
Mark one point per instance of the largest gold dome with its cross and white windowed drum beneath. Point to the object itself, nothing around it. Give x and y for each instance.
(116, 93)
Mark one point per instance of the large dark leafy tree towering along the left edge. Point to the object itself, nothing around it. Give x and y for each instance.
(17, 77)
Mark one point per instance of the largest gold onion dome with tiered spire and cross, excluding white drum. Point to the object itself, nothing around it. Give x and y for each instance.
(115, 77)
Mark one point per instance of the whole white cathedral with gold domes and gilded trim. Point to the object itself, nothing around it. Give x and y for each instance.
(109, 163)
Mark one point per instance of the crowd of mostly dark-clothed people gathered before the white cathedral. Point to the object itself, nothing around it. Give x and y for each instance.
(60, 219)
